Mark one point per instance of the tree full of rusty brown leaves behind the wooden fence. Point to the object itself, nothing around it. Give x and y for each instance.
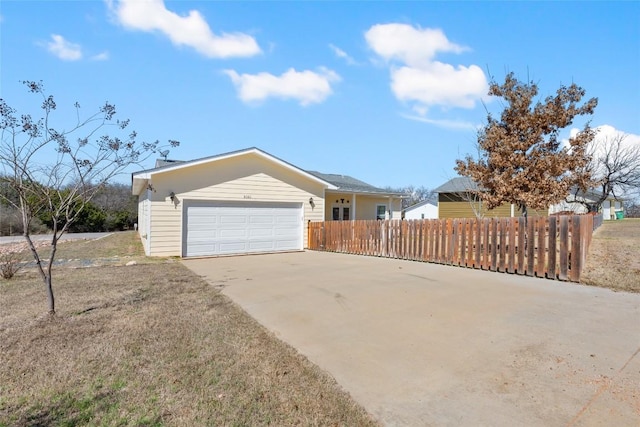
(521, 160)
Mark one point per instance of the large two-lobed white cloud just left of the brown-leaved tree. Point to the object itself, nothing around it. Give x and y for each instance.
(416, 77)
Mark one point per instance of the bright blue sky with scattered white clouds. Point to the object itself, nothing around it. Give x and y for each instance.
(387, 92)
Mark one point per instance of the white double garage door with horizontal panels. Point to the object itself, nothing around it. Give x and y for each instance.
(221, 228)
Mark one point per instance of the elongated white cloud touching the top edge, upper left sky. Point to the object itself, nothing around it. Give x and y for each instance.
(191, 30)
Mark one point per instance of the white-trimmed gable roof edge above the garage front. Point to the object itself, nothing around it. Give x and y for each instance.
(141, 178)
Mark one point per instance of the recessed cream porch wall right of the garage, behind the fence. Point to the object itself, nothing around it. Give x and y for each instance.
(365, 205)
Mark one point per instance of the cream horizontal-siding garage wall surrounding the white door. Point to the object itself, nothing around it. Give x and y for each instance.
(247, 178)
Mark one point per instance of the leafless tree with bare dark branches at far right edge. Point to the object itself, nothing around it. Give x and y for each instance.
(615, 168)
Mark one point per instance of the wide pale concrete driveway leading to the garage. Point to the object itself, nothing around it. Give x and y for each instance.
(427, 345)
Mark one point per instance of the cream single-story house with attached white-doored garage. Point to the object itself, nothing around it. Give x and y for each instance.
(245, 201)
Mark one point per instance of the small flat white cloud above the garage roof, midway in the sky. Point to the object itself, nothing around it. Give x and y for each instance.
(307, 87)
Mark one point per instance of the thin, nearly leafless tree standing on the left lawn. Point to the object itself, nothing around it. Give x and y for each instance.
(58, 171)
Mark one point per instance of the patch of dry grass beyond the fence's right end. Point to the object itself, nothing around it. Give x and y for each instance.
(614, 256)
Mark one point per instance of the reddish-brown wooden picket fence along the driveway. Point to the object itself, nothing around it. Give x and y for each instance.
(553, 247)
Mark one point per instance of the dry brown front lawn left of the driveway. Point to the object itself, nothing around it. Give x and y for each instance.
(149, 344)
